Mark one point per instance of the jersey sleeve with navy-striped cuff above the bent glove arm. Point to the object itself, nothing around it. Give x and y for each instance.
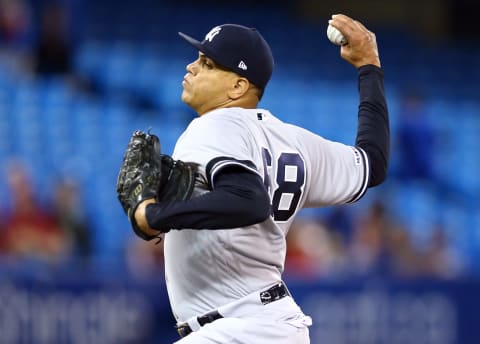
(215, 142)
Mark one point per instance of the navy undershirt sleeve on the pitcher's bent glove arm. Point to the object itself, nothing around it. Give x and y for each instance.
(238, 199)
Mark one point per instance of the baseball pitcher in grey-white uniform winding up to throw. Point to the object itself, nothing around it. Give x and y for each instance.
(225, 200)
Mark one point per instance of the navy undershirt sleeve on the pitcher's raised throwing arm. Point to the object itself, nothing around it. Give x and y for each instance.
(373, 134)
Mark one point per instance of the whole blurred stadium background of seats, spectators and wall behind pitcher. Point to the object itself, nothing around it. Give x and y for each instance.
(78, 76)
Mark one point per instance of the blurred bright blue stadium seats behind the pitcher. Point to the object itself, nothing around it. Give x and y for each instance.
(58, 129)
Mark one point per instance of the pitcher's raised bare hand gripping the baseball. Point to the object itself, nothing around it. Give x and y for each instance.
(362, 44)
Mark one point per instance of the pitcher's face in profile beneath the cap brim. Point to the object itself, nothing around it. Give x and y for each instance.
(206, 85)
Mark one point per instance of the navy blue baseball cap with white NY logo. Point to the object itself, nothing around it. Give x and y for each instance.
(238, 48)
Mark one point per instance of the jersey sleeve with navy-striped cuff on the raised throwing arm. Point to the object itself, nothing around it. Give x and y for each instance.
(338, 173)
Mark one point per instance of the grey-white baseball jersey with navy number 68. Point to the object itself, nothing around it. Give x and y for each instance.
(209, 268)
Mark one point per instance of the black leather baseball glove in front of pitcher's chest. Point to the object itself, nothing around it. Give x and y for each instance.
(145, 174)
